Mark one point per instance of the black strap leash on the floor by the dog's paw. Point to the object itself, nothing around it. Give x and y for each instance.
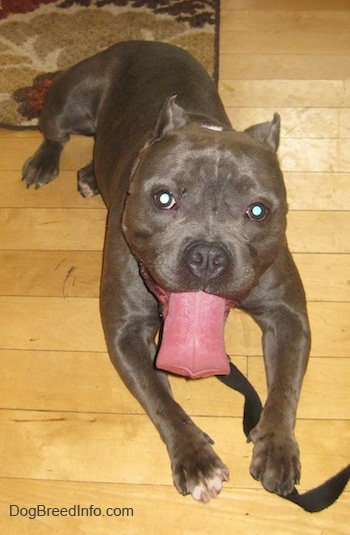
(313, 500)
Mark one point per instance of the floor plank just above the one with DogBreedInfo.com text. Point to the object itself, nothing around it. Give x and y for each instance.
(71, 446)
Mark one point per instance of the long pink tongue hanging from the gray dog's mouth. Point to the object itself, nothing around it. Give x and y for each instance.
(193, 336)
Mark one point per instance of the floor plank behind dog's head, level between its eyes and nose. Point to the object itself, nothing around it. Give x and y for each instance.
(68, 229)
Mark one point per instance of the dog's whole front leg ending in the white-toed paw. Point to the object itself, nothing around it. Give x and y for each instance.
(130, 318)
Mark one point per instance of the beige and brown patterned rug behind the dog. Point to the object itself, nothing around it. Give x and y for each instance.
(39, 38)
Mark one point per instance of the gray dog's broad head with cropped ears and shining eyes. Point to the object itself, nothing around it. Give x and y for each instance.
(206, 208)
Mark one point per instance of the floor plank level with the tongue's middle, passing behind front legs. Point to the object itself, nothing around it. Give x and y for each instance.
(73, 324)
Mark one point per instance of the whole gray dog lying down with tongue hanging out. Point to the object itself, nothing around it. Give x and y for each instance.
(196, 226)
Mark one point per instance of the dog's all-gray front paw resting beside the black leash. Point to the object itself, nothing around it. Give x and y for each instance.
(275, 461)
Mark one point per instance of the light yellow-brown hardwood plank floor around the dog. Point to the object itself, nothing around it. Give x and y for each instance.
(71, 432)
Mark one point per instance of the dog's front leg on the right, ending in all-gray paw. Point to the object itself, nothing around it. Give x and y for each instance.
(286, 343)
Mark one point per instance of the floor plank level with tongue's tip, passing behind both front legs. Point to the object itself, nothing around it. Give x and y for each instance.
(53, 381)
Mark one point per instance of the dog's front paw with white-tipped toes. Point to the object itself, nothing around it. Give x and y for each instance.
(197, 470)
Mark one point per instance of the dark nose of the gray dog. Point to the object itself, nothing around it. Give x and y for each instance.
(207, 260)
